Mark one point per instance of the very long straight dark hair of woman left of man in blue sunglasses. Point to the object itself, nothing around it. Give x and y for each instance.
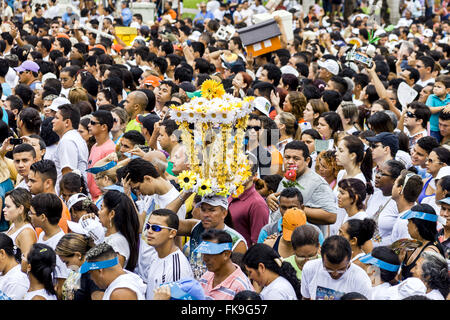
(126, 221)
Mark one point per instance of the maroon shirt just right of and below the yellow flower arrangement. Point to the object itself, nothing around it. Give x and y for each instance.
(249, 213)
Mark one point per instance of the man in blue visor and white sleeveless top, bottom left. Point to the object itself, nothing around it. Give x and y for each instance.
(103, 266)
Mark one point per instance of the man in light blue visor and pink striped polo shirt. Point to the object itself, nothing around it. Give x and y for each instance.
(224, 279)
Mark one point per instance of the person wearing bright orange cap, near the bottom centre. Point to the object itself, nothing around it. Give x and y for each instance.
(292, 219)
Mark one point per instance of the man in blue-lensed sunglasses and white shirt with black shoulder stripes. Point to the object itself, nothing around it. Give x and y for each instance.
(170, 264)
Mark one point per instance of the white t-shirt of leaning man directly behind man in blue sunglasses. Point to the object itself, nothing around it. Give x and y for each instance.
(147, 253)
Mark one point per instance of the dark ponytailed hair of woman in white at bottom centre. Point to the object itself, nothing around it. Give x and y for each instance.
(262, 253)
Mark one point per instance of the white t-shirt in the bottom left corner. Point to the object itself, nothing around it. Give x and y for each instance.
(14, 285)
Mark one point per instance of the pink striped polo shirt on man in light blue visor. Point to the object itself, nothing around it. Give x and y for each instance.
(227, 289)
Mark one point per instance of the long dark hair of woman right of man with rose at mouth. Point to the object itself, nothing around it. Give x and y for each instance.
(363, 159)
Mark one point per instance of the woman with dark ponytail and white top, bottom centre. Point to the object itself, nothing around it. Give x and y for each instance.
(277, 278)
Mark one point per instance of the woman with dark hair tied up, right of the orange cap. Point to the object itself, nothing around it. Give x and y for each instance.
(358, 233)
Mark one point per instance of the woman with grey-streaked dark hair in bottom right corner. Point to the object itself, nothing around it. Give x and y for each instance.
(432, 269)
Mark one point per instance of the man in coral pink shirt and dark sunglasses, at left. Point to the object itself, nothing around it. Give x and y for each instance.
(101, 124)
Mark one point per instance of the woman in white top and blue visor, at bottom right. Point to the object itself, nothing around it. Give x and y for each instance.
(383, 265)
